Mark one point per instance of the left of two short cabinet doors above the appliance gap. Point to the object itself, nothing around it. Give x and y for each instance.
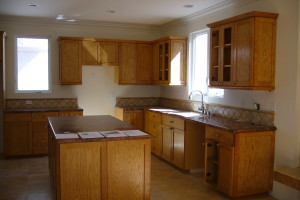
(90, 53)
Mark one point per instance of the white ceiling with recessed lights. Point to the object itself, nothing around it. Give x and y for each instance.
(150, 12)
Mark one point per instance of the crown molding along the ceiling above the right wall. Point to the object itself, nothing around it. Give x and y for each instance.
(205, 12)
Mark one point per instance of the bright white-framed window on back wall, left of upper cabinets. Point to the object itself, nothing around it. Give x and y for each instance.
(32, 64)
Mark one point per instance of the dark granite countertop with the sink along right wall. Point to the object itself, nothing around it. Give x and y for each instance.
(231, 125)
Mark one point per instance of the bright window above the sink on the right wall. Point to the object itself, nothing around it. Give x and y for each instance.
(199, 64)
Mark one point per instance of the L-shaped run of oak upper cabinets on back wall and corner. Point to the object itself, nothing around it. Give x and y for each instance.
(159, 62)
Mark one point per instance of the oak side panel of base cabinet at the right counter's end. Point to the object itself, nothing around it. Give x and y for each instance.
(254, 159)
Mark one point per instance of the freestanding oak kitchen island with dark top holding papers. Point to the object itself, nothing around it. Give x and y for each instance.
(97, 168)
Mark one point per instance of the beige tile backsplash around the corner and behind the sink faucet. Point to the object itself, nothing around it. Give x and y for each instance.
(263, 117)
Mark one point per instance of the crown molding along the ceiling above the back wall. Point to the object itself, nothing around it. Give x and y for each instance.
(6, 19)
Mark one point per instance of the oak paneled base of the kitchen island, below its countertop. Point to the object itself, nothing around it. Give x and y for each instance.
(100, 170)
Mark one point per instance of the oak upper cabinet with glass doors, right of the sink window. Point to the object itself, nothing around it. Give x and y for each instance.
(242, 52)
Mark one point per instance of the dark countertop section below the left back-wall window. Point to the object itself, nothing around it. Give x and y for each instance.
(43, 109)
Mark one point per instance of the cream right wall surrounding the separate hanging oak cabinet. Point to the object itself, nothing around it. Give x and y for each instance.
(284, 99)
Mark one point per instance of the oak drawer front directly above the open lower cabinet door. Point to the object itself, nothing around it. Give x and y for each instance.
(219, 135)
